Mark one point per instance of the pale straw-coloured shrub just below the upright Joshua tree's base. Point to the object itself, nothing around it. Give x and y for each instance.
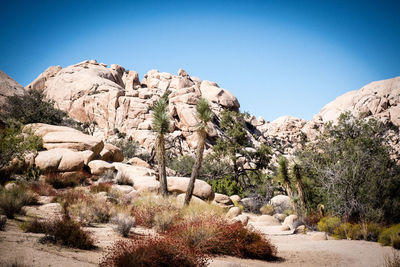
(146, 207)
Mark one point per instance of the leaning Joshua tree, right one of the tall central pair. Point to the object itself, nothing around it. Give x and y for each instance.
(205, 115)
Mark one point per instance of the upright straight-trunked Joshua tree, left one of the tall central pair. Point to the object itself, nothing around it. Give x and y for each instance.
(161, 127)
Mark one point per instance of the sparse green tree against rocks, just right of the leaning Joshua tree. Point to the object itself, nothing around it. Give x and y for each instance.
(236, 146)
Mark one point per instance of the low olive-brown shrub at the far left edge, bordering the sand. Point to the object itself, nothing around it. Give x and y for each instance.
(12, 200)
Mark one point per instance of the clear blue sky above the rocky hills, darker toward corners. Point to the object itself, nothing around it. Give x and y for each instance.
(278, 57)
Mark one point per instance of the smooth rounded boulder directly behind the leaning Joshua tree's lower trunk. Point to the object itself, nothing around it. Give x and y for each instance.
(201, 189)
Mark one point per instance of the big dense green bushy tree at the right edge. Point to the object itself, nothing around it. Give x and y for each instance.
(351, 172)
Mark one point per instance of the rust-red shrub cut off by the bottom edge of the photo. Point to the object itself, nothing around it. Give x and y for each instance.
(152, 252)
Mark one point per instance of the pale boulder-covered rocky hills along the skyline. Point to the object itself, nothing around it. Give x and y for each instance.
(117, 101)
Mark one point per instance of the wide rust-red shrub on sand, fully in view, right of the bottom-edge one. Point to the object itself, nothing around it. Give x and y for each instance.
(217, 237)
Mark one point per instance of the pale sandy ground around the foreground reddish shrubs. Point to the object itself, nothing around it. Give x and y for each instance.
(294, 250)
